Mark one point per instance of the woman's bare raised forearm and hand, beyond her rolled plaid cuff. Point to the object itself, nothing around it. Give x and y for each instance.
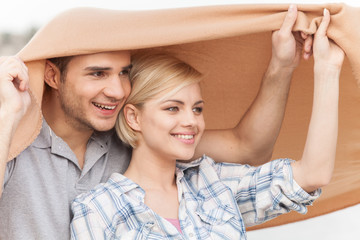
(316, 165)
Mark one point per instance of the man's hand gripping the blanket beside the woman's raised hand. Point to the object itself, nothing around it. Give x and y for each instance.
(288, 46)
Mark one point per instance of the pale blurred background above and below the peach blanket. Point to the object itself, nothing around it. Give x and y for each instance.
(19, 20)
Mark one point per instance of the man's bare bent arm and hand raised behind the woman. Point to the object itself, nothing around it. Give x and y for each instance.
(253, 139)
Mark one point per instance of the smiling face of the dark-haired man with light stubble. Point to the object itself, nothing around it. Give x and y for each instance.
(94, 90)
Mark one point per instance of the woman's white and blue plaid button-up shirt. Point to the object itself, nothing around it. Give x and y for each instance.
(217, 201)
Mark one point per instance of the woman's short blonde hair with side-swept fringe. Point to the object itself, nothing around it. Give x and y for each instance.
(151, 74)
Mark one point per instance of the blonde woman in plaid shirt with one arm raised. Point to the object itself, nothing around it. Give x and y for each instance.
(159, 197)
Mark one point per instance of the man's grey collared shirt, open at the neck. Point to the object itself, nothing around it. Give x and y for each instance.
(43, 180)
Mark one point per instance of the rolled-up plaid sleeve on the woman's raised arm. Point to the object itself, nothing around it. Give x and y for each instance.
(267, 191)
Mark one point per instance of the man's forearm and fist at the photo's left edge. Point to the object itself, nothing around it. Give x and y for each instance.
(14, 101)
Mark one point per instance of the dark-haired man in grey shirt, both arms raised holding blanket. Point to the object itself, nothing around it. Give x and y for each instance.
(77, 147)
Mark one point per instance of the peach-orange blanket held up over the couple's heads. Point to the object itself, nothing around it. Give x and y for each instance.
(231, 45)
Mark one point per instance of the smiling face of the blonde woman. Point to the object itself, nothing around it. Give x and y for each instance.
(172, 127)
